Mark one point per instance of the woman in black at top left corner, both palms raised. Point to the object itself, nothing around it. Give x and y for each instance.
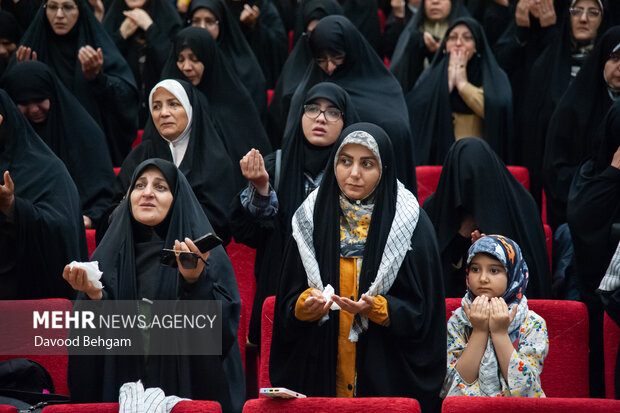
(65, 35)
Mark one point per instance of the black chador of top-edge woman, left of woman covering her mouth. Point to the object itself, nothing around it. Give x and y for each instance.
(408, 58)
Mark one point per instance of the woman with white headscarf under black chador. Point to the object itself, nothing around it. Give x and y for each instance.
(180, 130)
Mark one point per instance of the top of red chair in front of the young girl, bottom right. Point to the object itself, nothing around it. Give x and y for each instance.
(464, 404)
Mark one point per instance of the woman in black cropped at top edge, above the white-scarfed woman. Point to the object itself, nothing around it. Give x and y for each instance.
(143, 31)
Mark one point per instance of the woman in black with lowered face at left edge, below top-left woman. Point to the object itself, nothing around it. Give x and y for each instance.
(69, 131)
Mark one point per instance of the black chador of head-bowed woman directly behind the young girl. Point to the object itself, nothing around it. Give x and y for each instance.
(476, 181)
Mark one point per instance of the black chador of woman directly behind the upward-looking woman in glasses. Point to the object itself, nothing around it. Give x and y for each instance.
(375, 93)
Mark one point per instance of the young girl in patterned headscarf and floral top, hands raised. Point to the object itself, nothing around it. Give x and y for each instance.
(496, 346)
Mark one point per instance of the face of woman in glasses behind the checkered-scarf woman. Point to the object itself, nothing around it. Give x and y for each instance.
(320, 131)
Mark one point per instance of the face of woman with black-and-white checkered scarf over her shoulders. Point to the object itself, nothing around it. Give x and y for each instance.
(357, 171)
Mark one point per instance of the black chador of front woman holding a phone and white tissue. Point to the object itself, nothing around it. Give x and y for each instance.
(218, 378)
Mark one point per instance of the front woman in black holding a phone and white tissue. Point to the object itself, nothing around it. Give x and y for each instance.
(160, 211)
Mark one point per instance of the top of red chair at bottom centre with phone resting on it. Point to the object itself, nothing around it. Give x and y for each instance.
(339, 405)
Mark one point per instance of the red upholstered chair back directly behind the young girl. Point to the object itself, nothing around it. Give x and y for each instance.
(565, 372)
